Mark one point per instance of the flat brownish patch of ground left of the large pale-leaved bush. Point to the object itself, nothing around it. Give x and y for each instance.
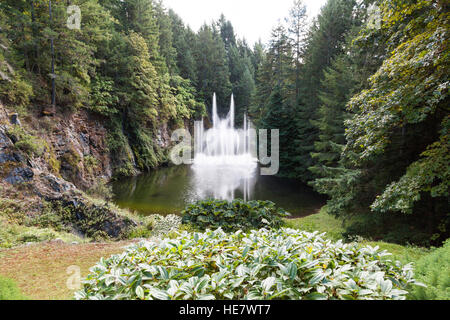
(41, 272)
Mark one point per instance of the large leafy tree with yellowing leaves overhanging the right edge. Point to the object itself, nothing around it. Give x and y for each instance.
(397, 138)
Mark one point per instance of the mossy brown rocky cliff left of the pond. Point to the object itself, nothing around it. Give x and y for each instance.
(47, 163)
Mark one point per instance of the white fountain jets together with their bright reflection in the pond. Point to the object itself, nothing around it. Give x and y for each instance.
(225, 160)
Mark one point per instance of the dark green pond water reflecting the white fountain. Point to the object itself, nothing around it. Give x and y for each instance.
(168, 190)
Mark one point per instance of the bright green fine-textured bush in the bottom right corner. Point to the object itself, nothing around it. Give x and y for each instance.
(434, 271)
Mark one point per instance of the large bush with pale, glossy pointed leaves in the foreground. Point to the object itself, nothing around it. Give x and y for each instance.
(277, 264)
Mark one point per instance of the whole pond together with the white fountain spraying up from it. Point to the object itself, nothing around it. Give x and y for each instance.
(224, 166)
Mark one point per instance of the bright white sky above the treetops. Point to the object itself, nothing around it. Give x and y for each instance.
(251, 19)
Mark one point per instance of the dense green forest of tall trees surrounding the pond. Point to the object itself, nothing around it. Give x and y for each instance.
(361, 104)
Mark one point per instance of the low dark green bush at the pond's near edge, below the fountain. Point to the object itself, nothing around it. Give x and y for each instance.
(233, 216)
